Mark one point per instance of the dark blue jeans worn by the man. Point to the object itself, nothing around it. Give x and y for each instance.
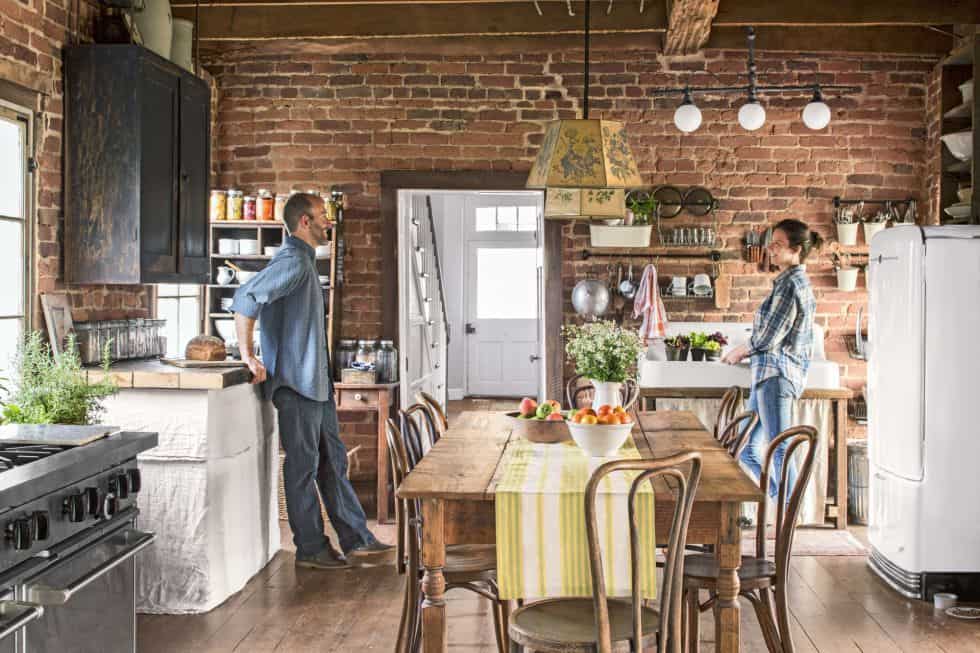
(316, 458)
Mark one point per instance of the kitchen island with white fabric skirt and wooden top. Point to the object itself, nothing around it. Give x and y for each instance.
(209, 487)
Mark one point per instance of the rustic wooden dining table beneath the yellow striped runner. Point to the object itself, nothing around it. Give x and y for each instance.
(456, 483)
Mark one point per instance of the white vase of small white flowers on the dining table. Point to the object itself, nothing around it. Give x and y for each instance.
(604, 353)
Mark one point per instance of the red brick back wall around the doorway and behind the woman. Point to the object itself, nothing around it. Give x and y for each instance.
(298, 120)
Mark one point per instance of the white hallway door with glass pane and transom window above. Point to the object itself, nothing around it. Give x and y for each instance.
(503, 297)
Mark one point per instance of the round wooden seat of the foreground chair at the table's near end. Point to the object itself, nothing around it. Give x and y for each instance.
(568, 625)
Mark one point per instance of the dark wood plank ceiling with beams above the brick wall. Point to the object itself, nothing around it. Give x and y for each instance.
(678, 27)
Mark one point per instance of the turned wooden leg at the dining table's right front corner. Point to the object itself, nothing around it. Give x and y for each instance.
(726, 608)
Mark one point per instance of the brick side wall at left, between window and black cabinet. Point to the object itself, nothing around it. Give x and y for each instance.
(32, 33)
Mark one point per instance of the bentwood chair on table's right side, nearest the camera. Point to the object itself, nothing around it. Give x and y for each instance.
(761, 579)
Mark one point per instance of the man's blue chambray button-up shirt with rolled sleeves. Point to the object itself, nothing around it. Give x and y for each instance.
(287, 299)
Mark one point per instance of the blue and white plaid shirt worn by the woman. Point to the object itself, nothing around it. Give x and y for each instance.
(782, 332)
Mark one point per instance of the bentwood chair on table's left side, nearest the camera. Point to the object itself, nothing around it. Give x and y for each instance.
(470, 567)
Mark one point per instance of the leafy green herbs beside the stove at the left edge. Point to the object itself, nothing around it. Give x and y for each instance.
(50, 391)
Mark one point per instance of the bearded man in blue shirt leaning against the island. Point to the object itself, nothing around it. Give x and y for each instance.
(287, 298)
